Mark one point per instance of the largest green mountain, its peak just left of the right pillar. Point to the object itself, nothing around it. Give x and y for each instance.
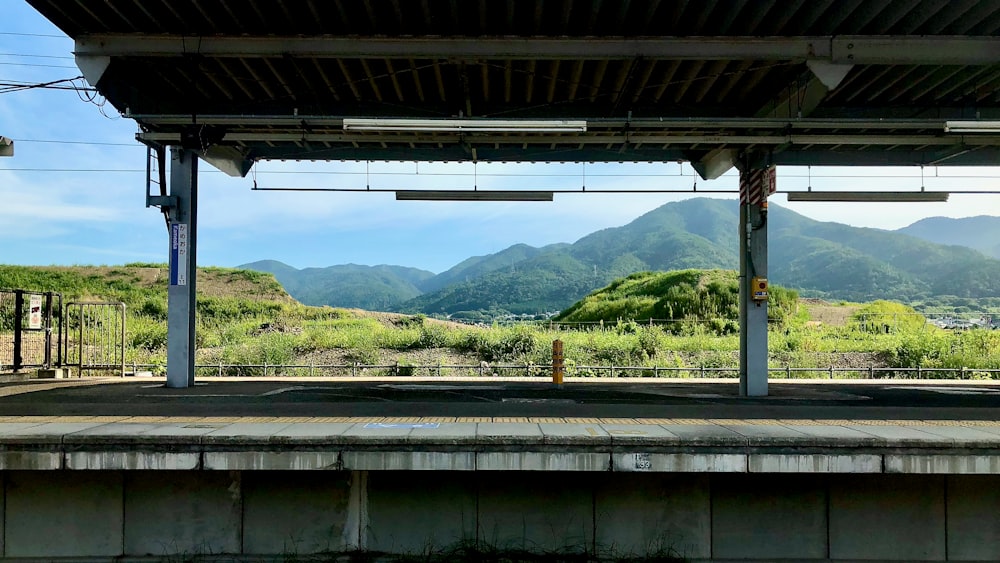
(817, 258)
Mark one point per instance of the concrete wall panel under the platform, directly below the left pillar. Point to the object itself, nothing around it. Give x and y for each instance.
(181, 512)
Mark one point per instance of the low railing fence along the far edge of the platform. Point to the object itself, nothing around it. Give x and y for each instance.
(542, 370)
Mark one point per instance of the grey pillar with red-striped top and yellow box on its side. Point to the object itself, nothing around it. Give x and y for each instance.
(755, 185)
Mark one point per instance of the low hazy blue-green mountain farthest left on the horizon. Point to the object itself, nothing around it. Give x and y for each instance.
(375, 288)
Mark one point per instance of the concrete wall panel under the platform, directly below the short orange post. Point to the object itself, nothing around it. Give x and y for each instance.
(537, 511)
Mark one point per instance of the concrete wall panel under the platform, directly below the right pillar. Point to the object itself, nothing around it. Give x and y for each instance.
(768, 517)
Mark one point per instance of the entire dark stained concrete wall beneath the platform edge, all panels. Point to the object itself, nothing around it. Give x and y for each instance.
(702, 517)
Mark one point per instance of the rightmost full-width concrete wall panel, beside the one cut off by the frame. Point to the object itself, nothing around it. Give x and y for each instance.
(889, 517)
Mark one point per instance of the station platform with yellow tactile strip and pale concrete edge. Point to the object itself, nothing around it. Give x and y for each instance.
(499, 424)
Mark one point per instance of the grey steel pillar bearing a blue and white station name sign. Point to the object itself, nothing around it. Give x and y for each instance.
(181, 292)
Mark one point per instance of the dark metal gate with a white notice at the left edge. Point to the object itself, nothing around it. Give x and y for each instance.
(27, 319)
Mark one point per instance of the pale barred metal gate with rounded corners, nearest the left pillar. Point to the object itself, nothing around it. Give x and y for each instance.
(95, 337)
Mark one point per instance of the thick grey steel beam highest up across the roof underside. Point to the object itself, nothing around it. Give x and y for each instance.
(932, 50)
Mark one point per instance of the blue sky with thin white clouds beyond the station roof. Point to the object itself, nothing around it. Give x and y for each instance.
(74, 191)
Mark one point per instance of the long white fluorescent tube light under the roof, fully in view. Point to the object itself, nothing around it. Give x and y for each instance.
(466, 125)
